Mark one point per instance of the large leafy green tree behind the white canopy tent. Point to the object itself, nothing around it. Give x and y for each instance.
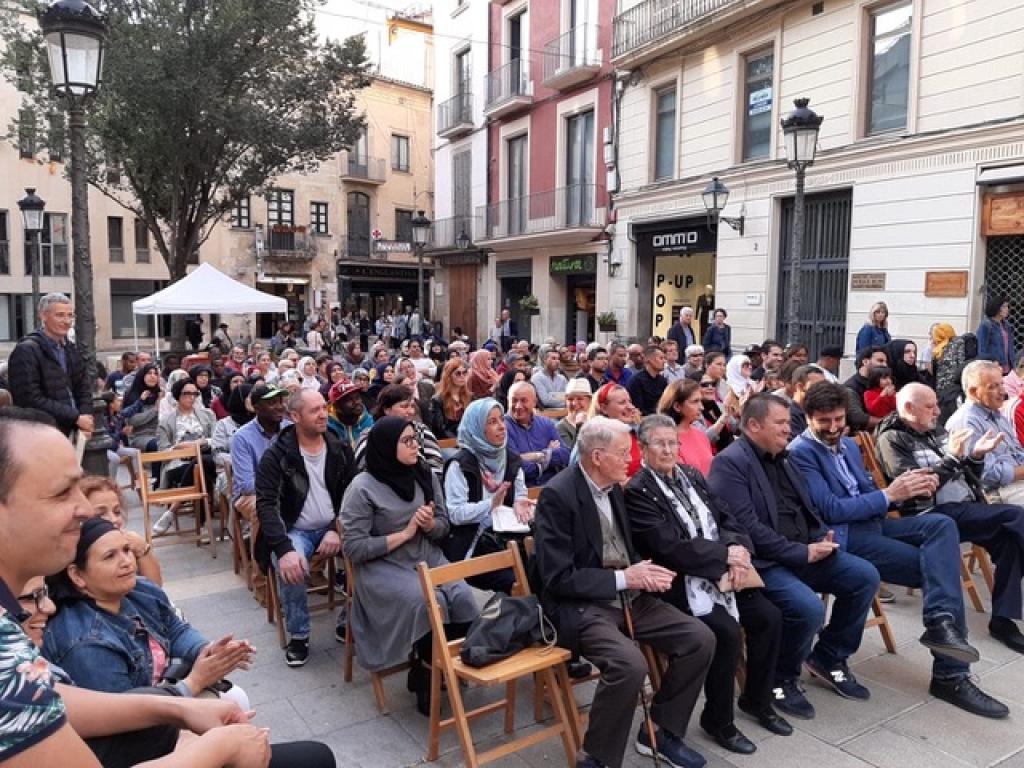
(202, 103)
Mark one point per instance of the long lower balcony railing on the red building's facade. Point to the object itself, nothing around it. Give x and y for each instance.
(564, 208)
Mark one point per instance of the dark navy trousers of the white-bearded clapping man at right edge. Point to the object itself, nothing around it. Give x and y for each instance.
(1000, 529)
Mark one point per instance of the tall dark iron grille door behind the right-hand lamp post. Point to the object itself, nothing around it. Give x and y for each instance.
(825, 269)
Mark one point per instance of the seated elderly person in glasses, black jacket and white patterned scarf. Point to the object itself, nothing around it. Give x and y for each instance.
(679, 526)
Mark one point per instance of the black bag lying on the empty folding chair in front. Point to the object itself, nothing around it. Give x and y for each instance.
(506, 626)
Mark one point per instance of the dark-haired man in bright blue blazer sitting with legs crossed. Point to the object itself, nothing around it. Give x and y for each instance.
(921, 551)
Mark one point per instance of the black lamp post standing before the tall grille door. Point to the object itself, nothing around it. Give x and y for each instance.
(800, 131)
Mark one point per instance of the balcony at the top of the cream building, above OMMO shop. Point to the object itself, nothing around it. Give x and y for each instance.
(654, 22)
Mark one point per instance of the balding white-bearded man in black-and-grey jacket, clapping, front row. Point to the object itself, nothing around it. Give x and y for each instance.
(911, 439)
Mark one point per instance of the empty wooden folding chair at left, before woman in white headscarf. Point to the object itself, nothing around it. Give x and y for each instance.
(191, 500)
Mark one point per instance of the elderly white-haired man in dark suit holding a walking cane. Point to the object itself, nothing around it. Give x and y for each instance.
(587, 565)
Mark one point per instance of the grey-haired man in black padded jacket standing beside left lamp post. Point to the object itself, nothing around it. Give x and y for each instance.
(47, 372)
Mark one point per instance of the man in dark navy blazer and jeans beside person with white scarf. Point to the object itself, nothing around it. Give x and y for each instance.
(795, 554)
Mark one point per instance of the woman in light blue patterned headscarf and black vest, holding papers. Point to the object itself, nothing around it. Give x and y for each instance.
(484, 476)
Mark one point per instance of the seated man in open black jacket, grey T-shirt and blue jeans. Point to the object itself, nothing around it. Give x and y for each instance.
(300, 486)
